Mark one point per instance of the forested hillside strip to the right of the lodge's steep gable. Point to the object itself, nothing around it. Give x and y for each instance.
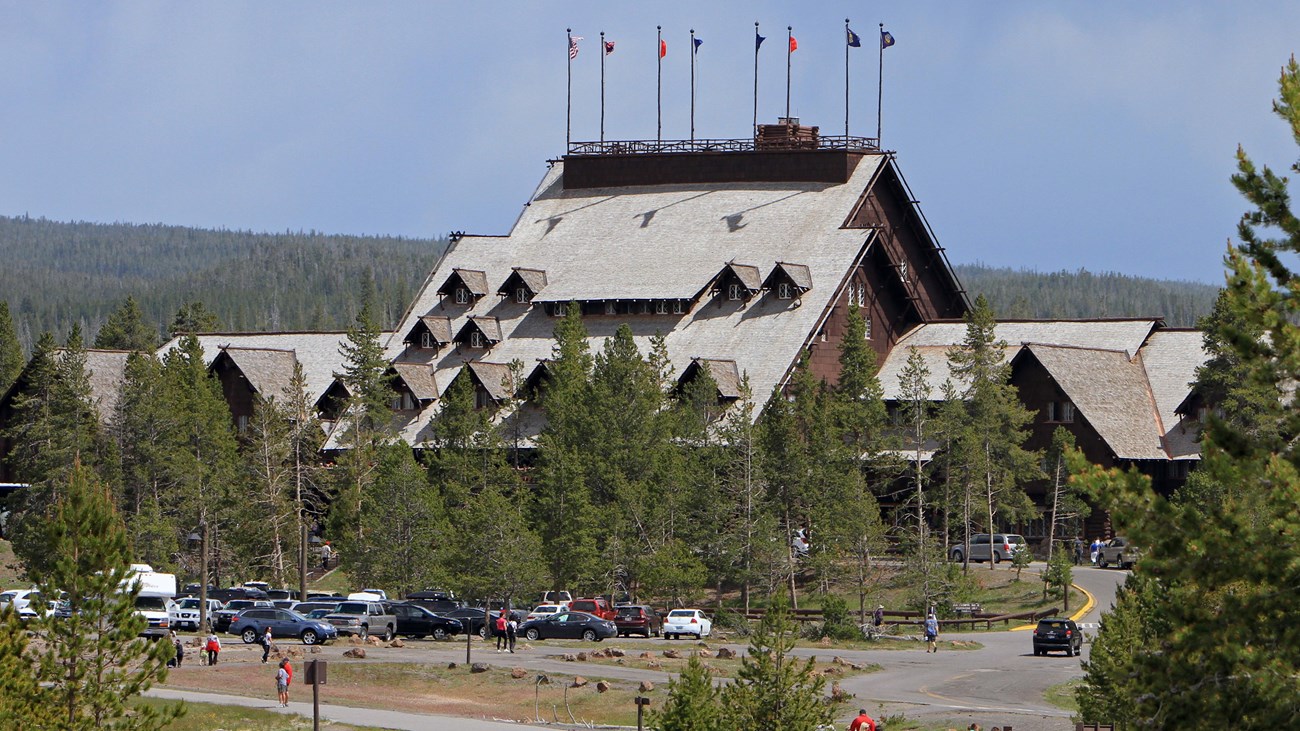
(1024, 295)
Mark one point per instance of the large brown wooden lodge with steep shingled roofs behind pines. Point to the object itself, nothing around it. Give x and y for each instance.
(747, 256)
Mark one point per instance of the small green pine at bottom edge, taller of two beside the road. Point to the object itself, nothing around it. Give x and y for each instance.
(773, 690)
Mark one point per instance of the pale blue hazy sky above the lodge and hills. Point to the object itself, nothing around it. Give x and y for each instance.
(1050, 136)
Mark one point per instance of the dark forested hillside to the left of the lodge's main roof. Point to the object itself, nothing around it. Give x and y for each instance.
(59, 274)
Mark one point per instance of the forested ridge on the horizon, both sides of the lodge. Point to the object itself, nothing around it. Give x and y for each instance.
(59, 274)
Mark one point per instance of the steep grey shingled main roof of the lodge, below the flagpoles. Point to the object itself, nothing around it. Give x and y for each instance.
(660, 243)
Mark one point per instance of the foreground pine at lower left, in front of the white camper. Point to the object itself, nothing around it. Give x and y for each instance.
(94, 661)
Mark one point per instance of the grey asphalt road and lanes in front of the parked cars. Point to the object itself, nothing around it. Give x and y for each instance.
(998, 686)
